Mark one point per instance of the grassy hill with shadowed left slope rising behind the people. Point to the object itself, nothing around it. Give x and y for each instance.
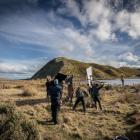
(78, 69)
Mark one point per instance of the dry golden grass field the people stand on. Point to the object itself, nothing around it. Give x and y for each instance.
(120, 114)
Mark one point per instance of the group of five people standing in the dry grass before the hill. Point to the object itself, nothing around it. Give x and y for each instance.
(54, 94)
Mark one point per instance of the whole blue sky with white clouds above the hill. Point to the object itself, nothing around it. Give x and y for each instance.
(32, 32)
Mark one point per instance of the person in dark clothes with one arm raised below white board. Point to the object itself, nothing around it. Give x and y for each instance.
(96, 95)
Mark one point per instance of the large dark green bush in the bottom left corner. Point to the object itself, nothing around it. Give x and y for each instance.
(14, 126)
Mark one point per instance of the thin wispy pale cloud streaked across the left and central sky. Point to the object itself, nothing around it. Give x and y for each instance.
(26, 29)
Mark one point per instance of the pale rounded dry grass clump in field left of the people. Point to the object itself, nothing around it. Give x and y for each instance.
(29, 91)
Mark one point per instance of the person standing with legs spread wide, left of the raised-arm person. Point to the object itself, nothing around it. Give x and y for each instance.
(80, 98)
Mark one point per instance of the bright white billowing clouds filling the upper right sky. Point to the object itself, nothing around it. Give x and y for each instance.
(106, 17)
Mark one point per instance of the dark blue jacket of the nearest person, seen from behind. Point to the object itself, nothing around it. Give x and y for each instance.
(55, 93)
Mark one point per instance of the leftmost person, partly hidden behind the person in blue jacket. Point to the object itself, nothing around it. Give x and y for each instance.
(49, 84)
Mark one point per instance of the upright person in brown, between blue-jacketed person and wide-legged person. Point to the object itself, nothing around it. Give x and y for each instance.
(70, 88)
